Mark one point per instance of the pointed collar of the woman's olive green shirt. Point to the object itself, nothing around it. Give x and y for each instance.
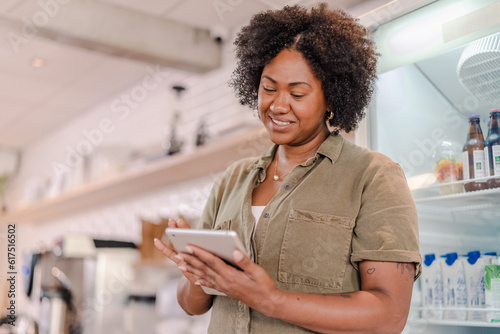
(330, 148)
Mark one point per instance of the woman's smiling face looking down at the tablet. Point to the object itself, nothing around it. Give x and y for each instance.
(291, 101)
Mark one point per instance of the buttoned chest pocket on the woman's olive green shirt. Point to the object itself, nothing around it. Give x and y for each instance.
(315, 250)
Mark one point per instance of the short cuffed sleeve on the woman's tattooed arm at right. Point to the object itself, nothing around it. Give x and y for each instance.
(387, 224)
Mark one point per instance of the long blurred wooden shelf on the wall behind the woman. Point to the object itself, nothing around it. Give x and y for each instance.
(213, 158)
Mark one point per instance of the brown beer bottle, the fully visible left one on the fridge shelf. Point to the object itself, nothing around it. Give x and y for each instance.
(473, 156)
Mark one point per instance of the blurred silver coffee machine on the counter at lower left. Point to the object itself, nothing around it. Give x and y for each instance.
(81, 284)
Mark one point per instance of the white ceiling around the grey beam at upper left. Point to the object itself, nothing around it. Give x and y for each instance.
(35, 101)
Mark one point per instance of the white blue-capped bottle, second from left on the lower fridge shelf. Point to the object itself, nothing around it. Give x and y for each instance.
(454, 291)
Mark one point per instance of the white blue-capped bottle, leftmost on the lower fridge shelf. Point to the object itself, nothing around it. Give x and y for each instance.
(432, 288)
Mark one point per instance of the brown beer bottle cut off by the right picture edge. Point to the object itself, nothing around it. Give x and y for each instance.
(492, 149)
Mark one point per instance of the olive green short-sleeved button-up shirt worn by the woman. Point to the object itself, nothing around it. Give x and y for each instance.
(342, 206)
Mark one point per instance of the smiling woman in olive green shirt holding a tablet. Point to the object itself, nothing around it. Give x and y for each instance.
(331, 228)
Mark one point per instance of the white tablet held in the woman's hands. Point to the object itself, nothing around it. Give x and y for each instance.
(221, 243)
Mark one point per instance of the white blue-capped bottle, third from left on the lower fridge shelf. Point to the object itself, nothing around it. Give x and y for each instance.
(474, 278)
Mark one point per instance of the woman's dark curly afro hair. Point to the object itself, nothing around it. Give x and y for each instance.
(338, 49)
